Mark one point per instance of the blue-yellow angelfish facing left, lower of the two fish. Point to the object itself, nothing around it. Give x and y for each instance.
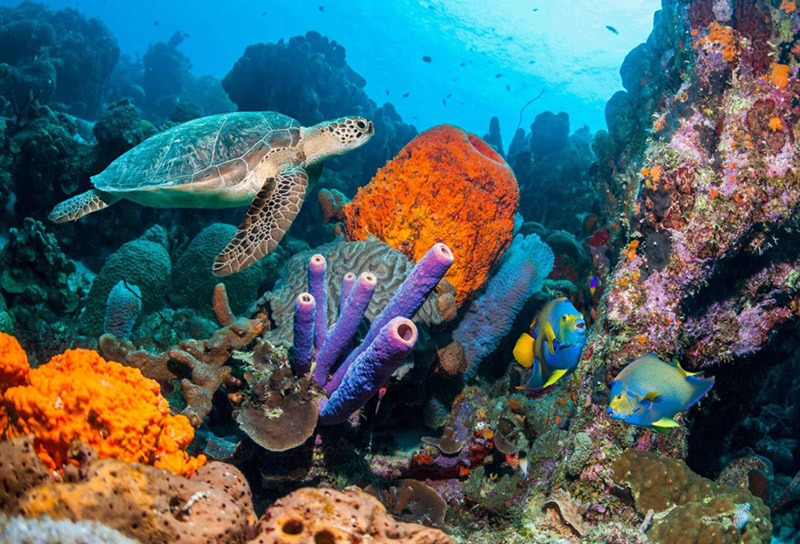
(649, 392)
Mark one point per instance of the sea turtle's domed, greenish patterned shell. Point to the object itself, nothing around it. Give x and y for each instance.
(219, 147)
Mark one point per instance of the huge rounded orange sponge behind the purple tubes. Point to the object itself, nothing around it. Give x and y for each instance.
(447, 186)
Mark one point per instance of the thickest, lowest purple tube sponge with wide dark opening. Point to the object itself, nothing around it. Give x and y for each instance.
(373, 368)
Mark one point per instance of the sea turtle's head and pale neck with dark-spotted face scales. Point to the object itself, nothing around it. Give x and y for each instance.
(333, 138)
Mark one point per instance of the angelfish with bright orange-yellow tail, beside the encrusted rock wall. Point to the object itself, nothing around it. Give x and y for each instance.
(553, 345)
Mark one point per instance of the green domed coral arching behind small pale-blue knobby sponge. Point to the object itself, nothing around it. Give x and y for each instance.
(143, 262)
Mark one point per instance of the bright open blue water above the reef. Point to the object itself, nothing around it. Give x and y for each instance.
(563, 48)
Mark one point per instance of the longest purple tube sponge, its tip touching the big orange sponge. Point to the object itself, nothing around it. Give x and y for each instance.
(409, 297)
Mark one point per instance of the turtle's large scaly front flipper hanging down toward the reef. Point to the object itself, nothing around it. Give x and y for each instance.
(269, 217)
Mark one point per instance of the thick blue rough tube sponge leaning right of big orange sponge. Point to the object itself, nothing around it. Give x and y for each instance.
(490, 317)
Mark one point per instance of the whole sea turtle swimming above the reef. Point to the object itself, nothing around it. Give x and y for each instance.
(223, 161)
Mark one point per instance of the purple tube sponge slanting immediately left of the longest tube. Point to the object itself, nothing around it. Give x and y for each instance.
(343, 331)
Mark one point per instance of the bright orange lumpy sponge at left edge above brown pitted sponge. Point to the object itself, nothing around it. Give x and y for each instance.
(80, 396)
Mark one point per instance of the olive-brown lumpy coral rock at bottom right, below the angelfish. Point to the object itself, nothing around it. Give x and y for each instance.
(688, 506)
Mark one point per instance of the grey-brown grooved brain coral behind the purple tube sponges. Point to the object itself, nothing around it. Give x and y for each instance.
(389, 266)
